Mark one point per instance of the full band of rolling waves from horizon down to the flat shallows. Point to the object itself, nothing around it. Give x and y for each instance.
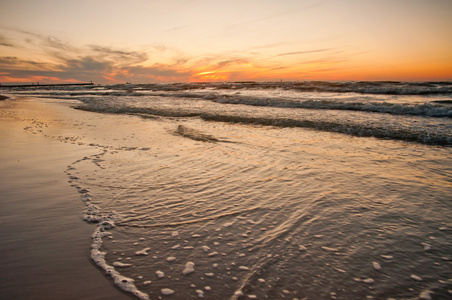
(420, 112)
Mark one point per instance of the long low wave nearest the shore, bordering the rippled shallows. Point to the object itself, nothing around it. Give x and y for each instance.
(409, 128)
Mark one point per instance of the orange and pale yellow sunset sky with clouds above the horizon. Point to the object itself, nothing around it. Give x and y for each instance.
(153, 41)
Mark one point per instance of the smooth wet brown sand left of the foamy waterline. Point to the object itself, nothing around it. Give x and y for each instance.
(44, 244)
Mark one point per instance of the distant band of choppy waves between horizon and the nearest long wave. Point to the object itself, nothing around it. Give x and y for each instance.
(430, 99)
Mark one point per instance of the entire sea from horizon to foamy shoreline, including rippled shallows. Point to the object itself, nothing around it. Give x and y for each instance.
(271, 190)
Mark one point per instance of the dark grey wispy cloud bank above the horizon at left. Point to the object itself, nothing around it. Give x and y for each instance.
(85, 63)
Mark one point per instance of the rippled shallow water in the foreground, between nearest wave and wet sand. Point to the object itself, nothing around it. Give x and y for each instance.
(275, 213)
